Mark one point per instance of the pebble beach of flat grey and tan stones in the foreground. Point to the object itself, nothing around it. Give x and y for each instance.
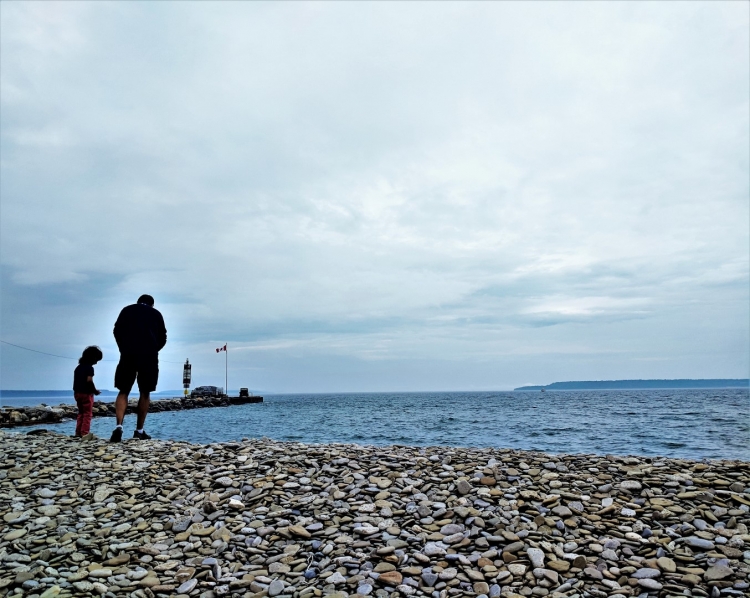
(290, 520)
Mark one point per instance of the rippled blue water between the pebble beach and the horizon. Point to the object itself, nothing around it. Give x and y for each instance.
(696, 424)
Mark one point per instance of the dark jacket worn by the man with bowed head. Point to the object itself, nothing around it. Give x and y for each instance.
(140, 330)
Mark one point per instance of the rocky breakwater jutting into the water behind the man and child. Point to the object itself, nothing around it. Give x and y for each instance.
(27, 416)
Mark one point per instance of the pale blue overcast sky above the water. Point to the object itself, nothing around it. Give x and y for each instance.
(378, 196)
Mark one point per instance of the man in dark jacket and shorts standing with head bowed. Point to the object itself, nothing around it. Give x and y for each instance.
(140, 335)
